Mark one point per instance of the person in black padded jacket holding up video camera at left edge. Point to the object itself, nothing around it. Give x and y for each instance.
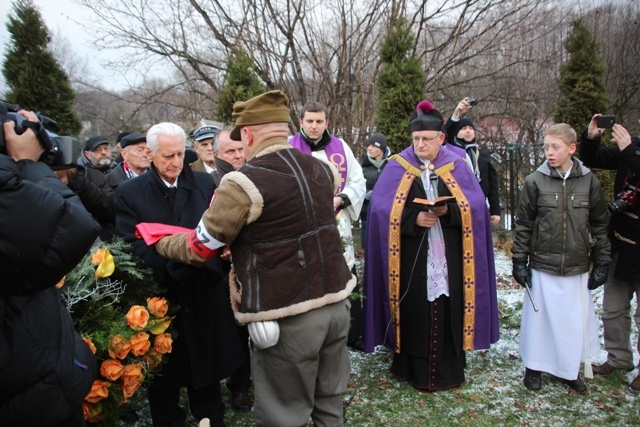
(46, 369)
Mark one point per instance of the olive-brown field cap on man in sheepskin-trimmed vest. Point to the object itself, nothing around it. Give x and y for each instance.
(269, 107)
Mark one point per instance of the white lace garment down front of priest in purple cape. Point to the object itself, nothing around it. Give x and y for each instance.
(437, 273)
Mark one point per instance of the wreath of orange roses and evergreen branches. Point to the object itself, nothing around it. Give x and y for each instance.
(117, 309)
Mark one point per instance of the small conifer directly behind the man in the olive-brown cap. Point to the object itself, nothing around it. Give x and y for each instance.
(241, 83)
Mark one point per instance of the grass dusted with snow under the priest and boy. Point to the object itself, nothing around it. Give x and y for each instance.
(493, 394)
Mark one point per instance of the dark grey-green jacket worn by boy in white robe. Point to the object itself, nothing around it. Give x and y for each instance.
(562, 224)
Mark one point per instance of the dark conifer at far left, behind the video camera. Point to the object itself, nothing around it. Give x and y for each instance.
(34, 78)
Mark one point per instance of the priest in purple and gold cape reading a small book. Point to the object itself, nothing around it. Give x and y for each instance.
(429, 281)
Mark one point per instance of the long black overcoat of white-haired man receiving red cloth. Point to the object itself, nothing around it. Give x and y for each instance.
(208, 345)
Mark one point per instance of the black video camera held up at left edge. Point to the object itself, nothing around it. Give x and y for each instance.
(59, 151)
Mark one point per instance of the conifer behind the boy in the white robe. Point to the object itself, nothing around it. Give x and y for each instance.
(581, 82)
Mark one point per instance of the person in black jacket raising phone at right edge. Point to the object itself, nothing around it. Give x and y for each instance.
(624, 232)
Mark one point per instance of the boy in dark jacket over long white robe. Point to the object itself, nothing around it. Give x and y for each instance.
(561, 228)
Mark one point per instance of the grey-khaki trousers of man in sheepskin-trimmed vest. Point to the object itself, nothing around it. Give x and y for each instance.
(304, 374)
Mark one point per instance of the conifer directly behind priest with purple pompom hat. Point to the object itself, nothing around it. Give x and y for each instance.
(400, 86)
